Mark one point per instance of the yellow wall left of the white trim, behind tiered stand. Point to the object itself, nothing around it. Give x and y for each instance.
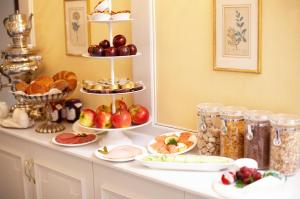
(50, 40)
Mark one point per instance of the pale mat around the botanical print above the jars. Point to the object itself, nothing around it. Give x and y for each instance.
(237, 63)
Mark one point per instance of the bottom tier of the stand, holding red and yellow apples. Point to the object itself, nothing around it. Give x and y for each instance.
(102, 119)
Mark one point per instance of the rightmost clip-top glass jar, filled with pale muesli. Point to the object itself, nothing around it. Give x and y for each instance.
(284, 143)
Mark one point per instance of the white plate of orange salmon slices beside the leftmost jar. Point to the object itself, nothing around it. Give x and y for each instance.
(173, 143)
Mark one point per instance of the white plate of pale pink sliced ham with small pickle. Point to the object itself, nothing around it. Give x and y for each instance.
(120, 153)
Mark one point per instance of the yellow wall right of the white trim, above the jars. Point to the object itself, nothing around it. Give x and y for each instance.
(184, 62)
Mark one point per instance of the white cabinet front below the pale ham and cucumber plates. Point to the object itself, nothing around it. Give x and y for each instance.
(112, 184)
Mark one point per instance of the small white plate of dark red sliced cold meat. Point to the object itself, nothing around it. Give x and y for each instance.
(74, 139)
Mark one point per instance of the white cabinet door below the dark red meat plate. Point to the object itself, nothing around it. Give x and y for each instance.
(59, 175)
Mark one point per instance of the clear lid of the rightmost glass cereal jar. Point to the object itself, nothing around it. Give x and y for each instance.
(285, 120)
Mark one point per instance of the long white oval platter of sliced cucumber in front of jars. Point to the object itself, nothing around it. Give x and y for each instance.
(185, 162)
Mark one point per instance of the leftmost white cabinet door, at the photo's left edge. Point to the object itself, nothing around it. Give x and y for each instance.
(11, 183)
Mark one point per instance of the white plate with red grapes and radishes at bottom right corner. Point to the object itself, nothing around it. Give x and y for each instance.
(248, 182)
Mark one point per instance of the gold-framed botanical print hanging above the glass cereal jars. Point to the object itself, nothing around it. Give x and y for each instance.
(237, 35)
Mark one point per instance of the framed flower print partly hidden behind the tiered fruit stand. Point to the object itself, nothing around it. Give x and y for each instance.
(76, 27)
